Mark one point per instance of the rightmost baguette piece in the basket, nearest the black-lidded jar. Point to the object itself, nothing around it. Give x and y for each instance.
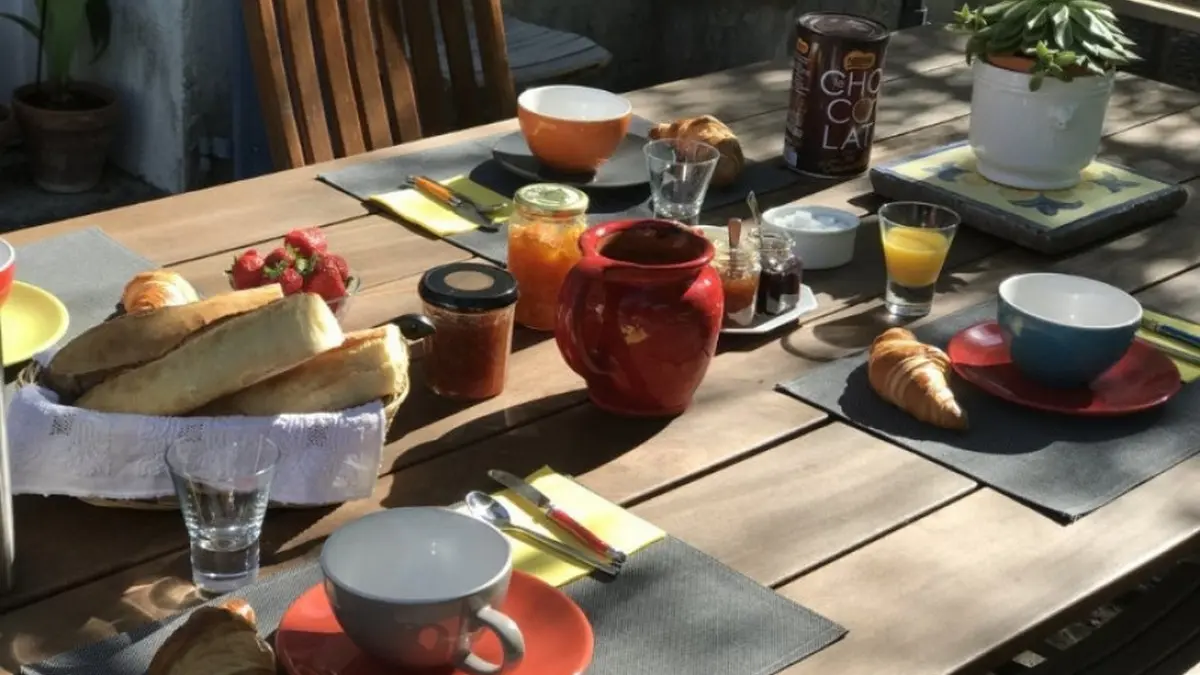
(369, 366)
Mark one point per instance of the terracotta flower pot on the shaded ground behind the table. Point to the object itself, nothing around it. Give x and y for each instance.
(68, 148)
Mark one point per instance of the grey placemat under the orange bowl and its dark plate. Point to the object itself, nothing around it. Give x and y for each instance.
(475, 159)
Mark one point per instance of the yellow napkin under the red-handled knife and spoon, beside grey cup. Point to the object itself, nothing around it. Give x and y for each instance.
(621, 529)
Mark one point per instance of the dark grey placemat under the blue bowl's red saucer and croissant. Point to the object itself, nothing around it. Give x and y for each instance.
(1066, 467)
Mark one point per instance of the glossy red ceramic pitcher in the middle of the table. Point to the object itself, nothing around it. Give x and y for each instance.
(640, 314)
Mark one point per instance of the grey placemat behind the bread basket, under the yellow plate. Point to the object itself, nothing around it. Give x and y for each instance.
(86, 270)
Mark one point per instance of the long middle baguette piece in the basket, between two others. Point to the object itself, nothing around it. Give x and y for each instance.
(226, 359)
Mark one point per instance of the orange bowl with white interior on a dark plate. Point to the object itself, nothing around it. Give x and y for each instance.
(573, 129)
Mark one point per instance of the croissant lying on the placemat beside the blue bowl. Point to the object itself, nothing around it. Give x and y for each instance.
(914, 377)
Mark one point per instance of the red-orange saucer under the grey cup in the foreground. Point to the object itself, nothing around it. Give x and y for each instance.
(559, 637)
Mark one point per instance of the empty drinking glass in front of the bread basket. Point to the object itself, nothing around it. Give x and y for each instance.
(224, 491)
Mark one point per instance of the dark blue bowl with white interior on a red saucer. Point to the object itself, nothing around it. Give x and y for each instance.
(1066, 331)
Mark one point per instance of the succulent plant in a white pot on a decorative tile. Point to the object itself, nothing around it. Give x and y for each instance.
(1043, 75)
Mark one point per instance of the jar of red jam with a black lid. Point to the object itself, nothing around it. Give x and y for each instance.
(471, 307)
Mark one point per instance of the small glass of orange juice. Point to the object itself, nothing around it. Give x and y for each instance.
(916, 240)
